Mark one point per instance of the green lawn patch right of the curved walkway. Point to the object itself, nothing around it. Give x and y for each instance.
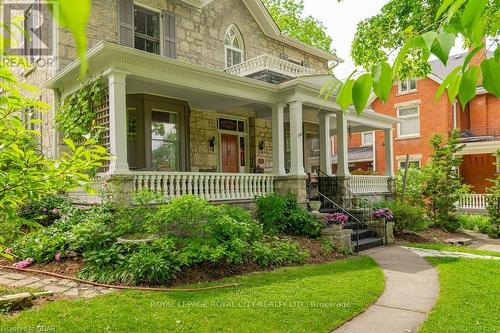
(468, 300)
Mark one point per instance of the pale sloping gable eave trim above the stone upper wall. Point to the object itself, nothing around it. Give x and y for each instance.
(259, 11)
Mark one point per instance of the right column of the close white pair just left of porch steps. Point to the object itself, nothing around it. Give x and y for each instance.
(296, 140)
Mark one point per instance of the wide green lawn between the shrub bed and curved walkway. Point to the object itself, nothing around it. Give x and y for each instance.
(311, 298)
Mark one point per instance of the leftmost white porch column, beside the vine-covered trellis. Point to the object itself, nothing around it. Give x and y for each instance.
(117, 121)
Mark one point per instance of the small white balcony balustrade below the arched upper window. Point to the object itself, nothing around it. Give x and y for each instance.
(267, 62)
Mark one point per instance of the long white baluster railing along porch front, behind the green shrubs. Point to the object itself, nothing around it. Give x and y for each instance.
(211, 186)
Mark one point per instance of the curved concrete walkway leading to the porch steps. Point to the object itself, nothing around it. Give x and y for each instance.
(411, 289)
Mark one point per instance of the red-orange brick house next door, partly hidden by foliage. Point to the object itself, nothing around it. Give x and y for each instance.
(421, 116)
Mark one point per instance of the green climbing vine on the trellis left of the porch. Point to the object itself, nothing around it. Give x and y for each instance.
(76, 117)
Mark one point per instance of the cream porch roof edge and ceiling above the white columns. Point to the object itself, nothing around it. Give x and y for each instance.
(204, 87)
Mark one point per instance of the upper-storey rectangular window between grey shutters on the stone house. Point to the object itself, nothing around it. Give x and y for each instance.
(147, 30)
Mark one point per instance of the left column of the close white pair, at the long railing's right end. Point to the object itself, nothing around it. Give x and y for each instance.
(278, 139)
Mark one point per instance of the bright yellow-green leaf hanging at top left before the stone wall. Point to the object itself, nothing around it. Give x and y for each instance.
(73, 15)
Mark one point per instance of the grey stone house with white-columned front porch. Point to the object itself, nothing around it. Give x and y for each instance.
(205, 97)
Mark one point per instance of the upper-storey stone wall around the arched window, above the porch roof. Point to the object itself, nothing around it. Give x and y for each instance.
(200, 32)
